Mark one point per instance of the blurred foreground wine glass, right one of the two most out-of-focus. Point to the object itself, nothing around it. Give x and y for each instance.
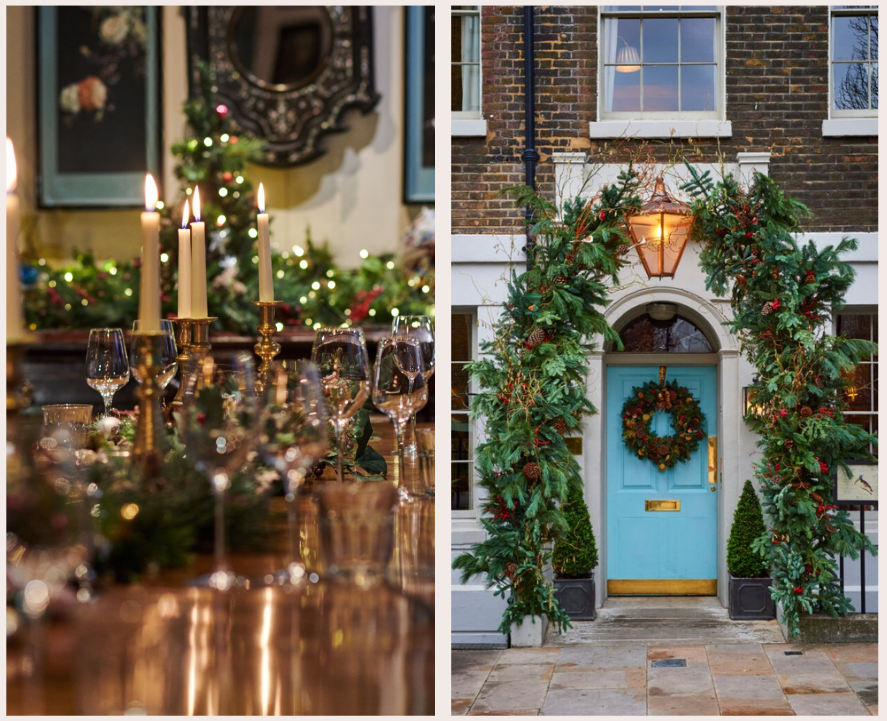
(295, 436)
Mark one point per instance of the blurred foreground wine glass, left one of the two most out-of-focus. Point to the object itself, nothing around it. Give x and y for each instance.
(219, 424)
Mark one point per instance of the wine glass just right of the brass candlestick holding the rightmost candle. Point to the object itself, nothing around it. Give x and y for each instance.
(341, 356)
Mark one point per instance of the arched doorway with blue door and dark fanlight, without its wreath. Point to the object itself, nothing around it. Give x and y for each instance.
(661, 525)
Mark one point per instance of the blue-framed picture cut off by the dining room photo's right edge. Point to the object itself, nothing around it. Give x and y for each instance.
(419, 106)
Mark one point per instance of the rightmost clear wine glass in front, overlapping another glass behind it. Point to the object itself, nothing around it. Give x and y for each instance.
(399, 388)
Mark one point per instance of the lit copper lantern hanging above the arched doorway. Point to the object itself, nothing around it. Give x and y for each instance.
(660, 231)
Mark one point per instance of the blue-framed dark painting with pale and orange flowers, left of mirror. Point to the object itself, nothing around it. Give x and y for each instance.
(98, 99)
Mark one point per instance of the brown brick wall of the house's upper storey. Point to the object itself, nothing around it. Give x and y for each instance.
(777, 97)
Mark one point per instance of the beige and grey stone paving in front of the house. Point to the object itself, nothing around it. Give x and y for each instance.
(619, 679)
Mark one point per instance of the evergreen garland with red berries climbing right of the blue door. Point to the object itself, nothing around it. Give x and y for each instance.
(782, 295)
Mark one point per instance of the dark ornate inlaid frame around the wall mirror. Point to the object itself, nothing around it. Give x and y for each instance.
(292, 119)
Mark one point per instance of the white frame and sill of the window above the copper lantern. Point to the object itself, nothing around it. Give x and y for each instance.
(665, 124)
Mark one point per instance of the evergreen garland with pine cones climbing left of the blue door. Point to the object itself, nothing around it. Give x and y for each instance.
(534, 375)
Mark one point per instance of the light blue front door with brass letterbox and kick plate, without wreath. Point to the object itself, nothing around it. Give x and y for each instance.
(652, 549)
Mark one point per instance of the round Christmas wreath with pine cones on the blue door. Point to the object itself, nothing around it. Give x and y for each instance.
(687, 420)
